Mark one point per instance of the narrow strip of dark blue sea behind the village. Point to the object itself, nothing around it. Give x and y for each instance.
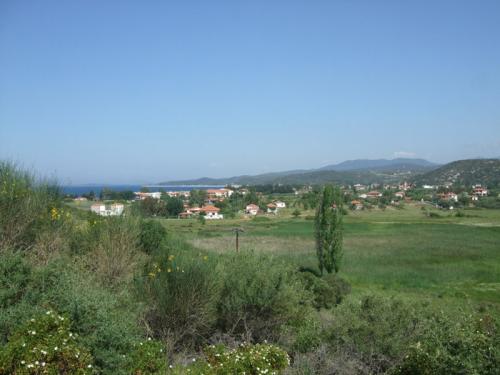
(86, 189)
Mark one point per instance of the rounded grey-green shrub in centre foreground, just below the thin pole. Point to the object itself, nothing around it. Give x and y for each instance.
(260, 296)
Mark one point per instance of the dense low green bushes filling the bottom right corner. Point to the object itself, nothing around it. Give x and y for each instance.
(381, 335)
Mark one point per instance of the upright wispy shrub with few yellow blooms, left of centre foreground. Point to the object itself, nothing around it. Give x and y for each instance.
(181, 291)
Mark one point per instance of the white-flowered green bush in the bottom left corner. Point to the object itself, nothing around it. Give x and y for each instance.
(45, 345)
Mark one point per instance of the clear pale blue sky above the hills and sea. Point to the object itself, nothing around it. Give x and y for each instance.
(145, 91)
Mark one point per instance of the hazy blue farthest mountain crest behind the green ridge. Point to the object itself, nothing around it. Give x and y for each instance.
(380, 164)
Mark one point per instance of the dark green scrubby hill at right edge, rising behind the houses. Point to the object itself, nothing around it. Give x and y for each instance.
(464, 173)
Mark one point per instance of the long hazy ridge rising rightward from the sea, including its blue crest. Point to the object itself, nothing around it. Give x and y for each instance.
(349, 172)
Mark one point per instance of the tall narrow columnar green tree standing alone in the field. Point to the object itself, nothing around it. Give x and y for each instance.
(329, 229)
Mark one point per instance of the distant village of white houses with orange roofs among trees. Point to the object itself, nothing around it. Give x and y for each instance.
(357, 197)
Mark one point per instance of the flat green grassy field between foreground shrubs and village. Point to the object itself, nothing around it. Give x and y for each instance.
(395, 251)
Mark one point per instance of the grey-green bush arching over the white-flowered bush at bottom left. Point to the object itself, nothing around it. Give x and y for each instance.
(106, 321)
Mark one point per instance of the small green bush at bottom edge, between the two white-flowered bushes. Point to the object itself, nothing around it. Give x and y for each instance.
(147, 357)
